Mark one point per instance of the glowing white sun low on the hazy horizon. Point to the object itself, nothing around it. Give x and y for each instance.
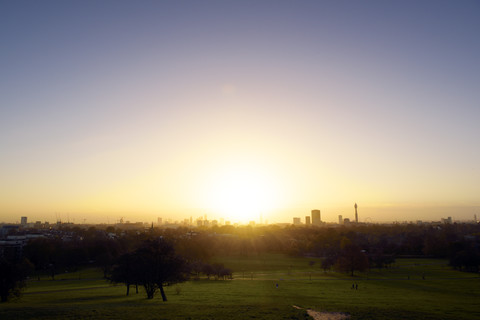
(242, 192)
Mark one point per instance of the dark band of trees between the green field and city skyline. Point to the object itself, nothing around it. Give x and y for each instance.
(124, 256)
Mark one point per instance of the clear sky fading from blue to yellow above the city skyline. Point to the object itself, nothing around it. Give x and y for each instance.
(242, 110)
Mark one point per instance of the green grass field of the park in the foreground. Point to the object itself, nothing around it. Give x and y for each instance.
(397, 293)
